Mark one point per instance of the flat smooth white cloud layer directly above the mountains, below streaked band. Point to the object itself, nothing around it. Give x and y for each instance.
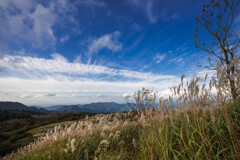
(77, 91)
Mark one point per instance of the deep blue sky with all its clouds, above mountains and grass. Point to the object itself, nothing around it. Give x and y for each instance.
(81, 51)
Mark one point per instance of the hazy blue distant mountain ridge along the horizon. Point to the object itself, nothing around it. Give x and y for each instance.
(100, 107)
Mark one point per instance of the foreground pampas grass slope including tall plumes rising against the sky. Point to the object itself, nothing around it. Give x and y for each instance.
(191, 124)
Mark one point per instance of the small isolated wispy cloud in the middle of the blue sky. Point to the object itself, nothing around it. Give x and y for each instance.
(109, 41)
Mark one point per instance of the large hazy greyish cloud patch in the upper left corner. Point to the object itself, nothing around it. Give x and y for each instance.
(33, 22)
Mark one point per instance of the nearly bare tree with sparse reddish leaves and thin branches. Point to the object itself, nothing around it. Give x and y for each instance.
(219, 18)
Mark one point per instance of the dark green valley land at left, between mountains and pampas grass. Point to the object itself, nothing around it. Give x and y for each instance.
(19, 128)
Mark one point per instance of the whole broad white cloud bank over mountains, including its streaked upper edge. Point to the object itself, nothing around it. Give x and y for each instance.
(57, 81)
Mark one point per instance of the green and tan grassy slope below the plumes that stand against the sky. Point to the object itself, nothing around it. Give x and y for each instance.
(192, 134)
